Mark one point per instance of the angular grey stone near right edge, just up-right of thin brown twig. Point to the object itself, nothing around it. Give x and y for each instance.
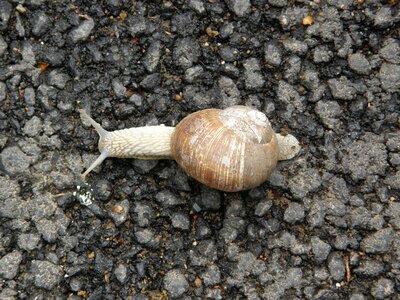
(378, 242)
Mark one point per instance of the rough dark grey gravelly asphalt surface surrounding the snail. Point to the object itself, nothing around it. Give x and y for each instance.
(325, 226)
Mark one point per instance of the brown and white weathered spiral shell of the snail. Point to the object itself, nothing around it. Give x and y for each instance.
(230, 150)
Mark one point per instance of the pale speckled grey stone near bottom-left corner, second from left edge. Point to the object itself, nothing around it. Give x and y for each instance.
(46, 274)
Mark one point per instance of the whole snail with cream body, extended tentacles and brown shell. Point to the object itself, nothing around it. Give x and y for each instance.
(230, 150)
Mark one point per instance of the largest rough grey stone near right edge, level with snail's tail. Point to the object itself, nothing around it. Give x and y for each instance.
(364, 158)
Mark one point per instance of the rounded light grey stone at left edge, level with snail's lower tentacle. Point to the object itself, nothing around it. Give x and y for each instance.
(14, 160)
